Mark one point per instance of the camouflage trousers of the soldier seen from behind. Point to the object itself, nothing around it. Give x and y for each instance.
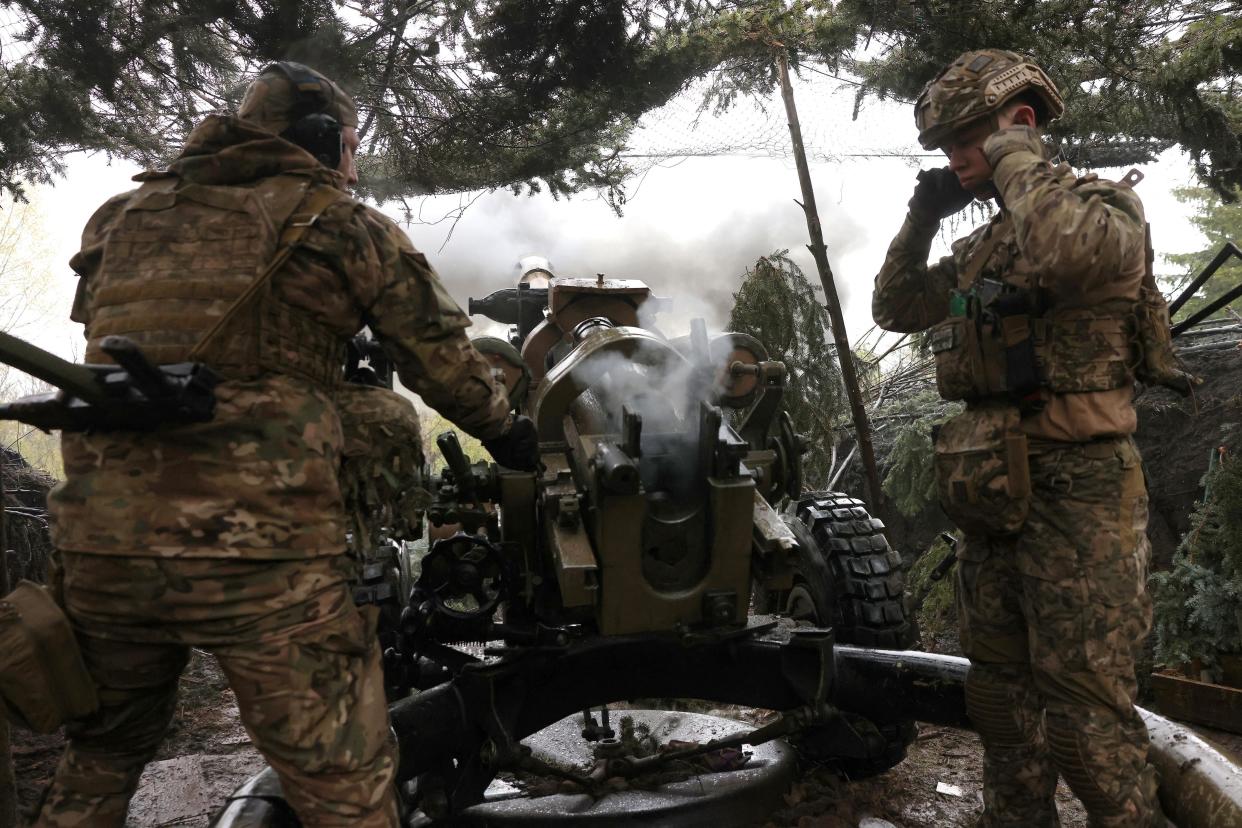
(301, 660)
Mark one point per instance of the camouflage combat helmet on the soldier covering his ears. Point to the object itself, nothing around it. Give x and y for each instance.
(978, 85)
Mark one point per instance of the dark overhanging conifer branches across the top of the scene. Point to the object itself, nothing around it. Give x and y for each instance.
(490, 94)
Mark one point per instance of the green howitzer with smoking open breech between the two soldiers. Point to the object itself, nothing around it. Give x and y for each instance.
(669, 507)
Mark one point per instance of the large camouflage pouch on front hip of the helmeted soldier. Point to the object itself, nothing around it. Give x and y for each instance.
(983, 472)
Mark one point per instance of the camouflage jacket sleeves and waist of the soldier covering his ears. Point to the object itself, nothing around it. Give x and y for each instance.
(1080, 241)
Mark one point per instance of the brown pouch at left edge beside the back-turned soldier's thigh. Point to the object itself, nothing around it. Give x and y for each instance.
(44, 681)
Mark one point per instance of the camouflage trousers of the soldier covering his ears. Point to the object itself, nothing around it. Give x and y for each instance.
(1051, 620)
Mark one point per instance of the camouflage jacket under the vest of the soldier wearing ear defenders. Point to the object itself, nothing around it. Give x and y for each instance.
(261, 480)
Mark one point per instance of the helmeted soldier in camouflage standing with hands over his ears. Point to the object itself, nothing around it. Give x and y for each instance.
(1033, 326)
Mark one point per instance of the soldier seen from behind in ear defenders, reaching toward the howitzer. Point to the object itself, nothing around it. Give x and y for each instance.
(230, 536)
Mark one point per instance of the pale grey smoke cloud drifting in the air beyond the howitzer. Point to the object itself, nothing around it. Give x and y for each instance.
(690, 244)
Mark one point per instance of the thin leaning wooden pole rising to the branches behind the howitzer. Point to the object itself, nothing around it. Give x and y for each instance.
(845, 357)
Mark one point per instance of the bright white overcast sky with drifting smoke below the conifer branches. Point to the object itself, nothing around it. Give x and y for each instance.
(691, 227)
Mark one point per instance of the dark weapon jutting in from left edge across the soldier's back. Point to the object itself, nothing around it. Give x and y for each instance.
(132, 395)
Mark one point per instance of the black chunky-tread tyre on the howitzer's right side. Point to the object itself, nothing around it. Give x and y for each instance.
(848, 578)
